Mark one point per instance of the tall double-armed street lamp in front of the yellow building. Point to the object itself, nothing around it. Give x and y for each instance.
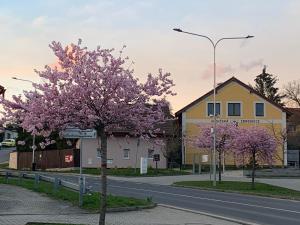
(214, 44)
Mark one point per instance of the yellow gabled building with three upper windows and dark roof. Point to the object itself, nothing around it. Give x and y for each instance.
(235, 102)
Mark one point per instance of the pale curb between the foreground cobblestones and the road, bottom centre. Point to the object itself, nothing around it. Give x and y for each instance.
(210, 215)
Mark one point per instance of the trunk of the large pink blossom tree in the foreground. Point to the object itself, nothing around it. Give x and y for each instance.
(103, 204)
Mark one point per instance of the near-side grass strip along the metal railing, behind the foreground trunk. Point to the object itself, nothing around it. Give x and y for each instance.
(90, 201)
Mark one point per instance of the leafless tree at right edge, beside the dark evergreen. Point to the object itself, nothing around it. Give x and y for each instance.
(292, 92)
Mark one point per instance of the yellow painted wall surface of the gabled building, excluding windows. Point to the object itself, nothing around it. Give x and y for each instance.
(197, 114)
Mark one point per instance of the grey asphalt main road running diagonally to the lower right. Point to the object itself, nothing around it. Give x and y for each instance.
(259, 210)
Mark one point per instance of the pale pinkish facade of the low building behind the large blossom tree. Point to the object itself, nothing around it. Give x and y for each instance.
(122, 152)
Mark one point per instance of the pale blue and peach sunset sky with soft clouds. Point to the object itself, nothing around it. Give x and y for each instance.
(145, 27)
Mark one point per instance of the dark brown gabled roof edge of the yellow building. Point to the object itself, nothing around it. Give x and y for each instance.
(232, 79)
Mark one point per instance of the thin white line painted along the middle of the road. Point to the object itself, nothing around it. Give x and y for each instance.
(208, 199)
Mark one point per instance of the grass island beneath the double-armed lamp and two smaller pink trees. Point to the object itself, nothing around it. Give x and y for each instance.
(243, 187)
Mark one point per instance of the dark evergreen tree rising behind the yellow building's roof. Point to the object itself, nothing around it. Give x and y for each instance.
(265, 85)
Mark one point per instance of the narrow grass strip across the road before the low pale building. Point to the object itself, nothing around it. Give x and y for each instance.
(131, 172)
